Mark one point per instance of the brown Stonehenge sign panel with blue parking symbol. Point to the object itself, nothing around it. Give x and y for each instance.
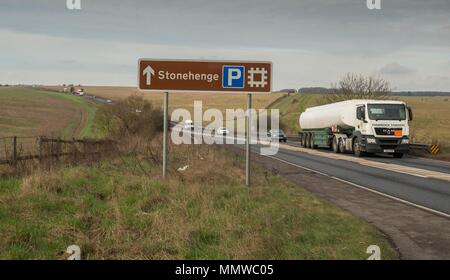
(205, 76)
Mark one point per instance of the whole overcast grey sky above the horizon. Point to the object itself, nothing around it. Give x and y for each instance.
(311, 42)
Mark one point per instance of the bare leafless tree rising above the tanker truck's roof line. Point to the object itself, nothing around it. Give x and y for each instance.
(354, 86)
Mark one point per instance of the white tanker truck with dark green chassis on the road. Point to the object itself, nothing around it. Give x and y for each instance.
(358, 126)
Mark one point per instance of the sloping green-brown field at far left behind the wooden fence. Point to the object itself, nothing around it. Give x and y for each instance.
(31, 112)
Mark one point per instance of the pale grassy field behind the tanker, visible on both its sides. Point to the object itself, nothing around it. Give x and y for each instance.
(431, 122)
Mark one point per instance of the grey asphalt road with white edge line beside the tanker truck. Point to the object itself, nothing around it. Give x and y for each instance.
(429, 189)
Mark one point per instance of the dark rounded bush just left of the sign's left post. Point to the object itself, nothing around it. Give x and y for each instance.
(133, 116)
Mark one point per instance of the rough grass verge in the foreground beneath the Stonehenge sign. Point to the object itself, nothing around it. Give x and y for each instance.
(122, 209)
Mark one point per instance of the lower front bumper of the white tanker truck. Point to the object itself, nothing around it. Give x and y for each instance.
(385, 145)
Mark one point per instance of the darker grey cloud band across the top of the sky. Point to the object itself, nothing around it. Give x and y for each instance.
(345, 25)
